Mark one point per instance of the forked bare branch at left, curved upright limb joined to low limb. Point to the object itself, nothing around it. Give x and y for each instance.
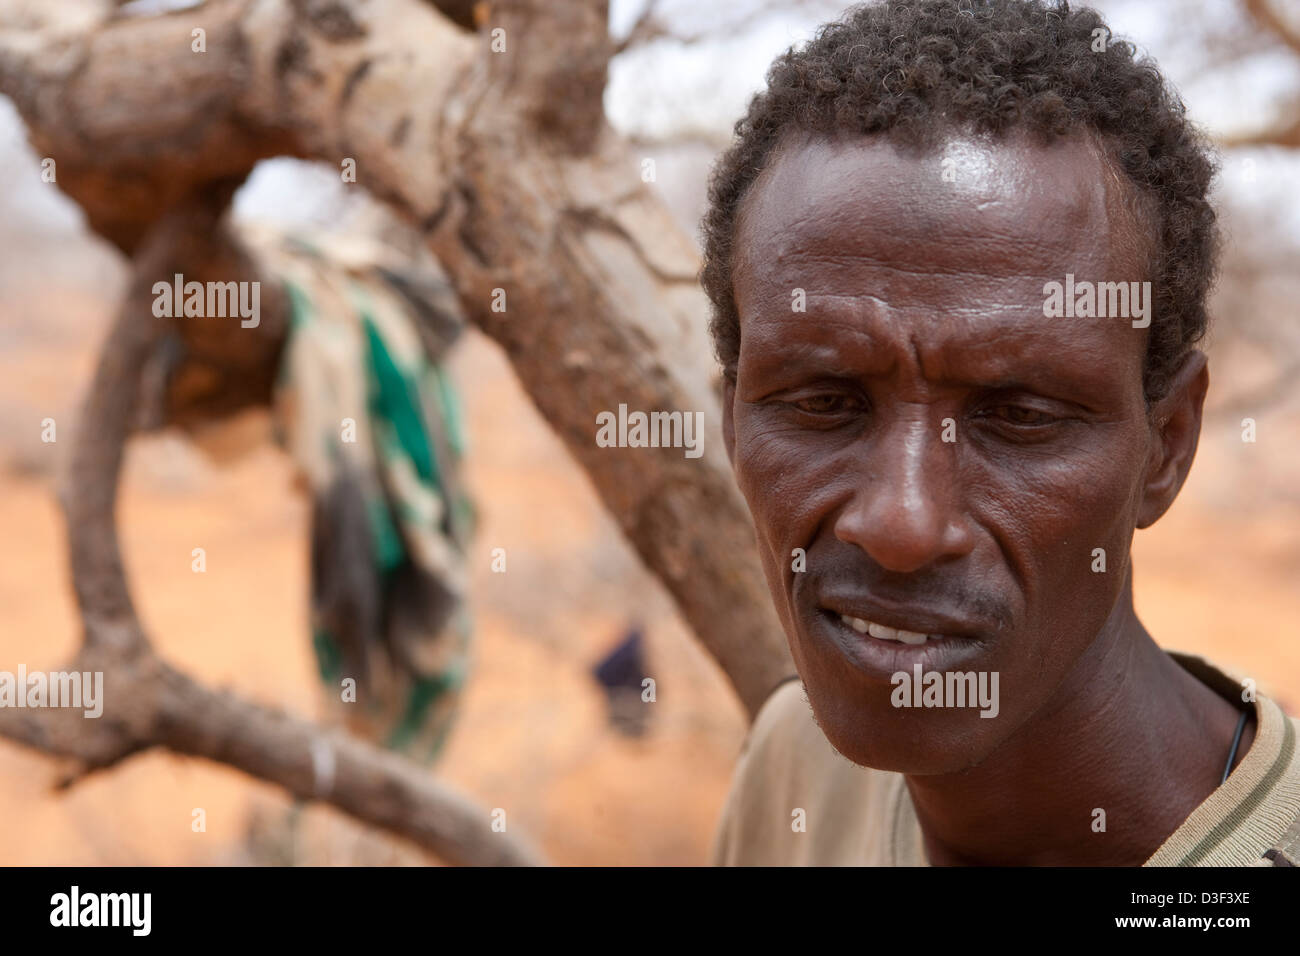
(149, 703)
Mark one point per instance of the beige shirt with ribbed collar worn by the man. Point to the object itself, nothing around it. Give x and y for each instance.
(856, 816)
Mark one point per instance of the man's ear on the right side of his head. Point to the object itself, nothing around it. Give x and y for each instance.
(1176, 423)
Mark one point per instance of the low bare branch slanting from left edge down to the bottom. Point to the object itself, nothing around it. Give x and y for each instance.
(151, 704)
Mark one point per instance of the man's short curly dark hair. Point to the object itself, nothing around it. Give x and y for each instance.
(917, 70)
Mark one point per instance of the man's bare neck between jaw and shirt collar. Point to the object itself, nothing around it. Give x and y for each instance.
(1133, 743)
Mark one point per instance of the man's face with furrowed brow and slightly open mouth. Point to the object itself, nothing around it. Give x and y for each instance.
(947, 458)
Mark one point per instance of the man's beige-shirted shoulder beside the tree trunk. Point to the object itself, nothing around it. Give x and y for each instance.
(794, 798)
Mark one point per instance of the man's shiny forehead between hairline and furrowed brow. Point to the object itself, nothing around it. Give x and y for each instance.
(970, 206)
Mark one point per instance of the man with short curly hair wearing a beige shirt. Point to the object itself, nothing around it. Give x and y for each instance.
(946, 461)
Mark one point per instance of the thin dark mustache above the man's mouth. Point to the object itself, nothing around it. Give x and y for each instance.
(942, 590)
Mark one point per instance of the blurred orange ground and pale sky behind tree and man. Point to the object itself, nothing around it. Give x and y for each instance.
(1220, 576)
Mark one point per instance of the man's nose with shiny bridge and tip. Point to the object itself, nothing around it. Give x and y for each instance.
(908, 509)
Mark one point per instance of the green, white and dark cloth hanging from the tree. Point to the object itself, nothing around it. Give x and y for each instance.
(367, 412)
